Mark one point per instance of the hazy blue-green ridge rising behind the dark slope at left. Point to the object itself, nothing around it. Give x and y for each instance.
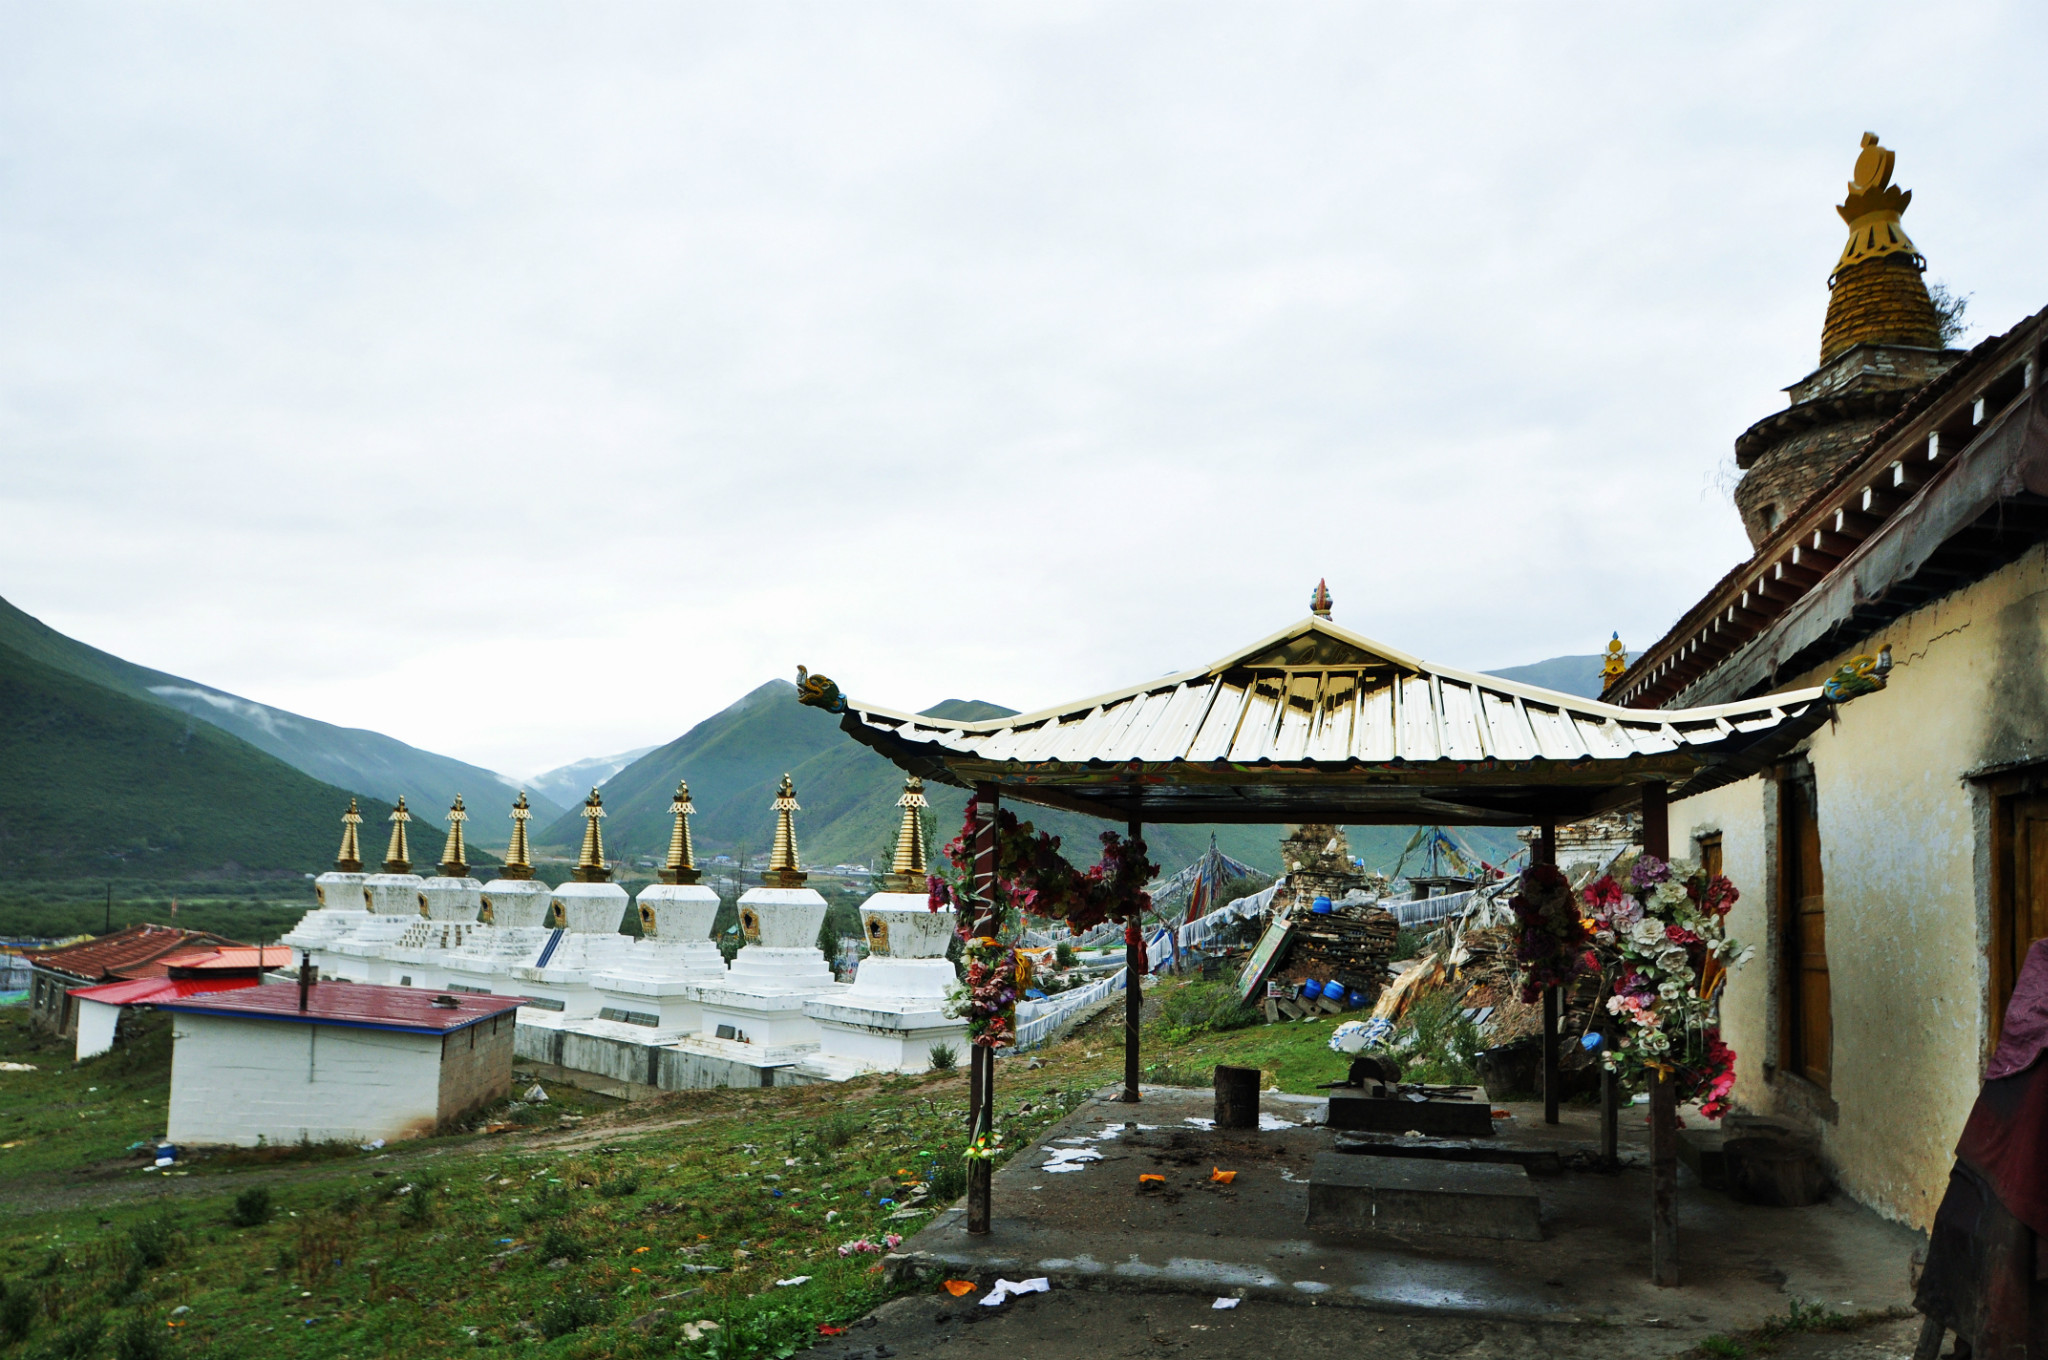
(341, 757)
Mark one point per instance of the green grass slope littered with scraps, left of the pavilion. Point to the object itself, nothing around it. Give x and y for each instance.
(454, 1244)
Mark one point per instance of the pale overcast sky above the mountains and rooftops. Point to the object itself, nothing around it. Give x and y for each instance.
(531, 382)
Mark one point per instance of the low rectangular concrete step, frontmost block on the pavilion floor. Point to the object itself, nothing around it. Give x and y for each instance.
(1402, 1195)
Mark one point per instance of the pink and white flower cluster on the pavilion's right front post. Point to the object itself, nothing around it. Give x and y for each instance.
(1666, 955)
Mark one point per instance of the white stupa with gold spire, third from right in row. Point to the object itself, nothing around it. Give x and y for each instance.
(656, 986)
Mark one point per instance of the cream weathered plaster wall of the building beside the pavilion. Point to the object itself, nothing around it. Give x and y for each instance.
(1904, 857)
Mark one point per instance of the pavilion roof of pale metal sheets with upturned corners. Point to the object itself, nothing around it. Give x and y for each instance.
(1320, 724)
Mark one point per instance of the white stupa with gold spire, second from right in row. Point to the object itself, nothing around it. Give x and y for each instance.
(779, 968)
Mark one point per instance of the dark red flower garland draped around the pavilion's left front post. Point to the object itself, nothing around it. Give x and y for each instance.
(1031, 878)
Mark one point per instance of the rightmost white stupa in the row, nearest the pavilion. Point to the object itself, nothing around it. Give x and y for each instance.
(896, 1011)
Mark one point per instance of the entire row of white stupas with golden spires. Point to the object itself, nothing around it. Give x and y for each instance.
(665, 1009)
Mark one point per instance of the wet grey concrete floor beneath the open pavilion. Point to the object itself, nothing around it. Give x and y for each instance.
(1099, 1230)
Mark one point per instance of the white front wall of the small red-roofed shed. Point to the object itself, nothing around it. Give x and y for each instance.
(234, 1080)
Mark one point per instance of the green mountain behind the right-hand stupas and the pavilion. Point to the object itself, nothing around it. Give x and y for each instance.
(736, 761)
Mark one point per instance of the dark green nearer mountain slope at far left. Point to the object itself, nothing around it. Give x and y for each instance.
(95, 781)
